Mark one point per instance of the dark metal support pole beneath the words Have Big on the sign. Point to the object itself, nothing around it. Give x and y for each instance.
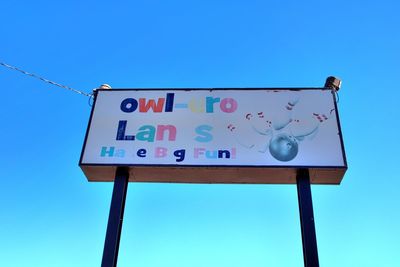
(113, 235)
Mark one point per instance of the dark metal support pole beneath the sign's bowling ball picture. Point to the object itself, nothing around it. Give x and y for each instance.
(310, 249)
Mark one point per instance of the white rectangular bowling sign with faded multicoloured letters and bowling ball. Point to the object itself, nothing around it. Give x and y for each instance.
(214, 135)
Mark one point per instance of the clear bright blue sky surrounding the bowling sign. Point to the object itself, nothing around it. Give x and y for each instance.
(51, 216)
